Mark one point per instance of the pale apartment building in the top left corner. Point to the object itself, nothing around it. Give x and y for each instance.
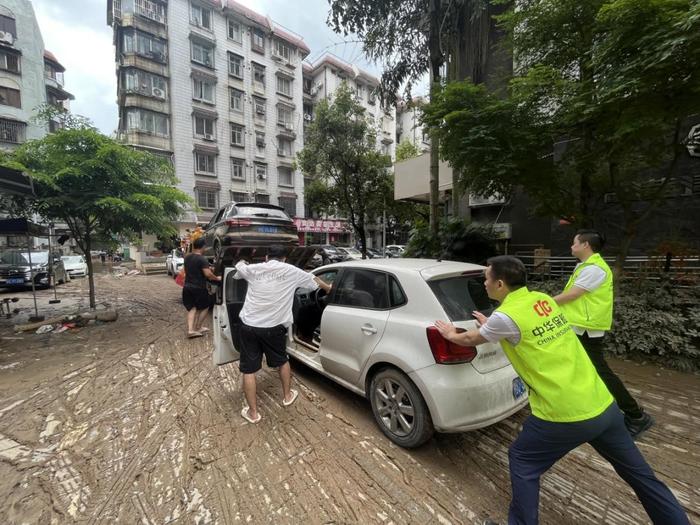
(29, 75)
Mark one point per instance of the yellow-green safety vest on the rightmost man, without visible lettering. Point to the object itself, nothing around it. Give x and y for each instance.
(593, 310)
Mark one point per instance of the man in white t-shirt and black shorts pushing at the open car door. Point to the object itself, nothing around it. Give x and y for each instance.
(266, 315)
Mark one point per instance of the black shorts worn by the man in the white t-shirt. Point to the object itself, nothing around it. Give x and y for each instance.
(258, 341)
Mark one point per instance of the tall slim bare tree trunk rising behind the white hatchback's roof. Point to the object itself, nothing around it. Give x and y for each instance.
(436, 61)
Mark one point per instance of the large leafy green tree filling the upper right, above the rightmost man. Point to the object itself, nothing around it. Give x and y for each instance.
(597, 104)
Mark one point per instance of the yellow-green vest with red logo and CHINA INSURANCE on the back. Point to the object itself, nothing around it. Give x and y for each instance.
(563, 383)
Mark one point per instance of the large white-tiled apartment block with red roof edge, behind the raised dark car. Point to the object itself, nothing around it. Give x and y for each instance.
(217, 88)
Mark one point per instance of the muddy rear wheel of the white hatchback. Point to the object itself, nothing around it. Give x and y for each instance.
(399, 408)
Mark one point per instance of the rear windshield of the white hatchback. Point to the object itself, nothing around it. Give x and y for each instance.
(461, 295)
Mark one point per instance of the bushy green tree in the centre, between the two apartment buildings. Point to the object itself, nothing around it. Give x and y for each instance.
(349, 175)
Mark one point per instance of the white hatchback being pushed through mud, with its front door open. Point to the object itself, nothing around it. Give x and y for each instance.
(374, 335)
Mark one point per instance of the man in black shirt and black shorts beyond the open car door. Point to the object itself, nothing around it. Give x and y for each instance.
(195, 296)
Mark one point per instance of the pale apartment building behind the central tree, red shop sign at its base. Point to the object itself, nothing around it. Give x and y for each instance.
(321, 80)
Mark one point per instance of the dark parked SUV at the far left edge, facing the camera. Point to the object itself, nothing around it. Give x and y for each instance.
(16, 271)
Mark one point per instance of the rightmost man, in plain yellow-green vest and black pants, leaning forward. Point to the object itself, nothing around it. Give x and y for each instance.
(587, 303)
